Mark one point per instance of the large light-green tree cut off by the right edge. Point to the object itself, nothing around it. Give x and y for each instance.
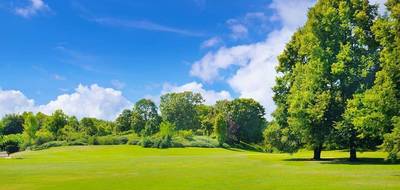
(371, 114)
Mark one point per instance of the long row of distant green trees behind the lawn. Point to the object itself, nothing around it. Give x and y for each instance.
(239, 120)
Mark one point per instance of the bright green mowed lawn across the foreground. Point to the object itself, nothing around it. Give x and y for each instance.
(135, 168)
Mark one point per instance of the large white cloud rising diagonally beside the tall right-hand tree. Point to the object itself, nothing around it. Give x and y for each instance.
(255, 63)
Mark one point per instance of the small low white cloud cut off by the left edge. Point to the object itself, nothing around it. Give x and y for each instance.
(12, 101)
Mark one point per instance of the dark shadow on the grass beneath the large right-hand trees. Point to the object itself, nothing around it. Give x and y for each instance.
(359, 161)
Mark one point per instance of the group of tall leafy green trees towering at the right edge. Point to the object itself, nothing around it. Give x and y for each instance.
(339, 83)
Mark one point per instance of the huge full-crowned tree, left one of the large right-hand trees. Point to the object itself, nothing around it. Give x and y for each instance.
(330, 58)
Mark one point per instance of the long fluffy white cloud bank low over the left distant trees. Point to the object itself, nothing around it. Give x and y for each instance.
(86, 101)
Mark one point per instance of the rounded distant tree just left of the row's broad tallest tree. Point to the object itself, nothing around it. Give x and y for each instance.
(145, 118)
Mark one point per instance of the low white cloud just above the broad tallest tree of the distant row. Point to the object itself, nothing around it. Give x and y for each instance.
(210, 96)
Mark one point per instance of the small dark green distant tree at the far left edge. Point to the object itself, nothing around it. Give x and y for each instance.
(12, 124)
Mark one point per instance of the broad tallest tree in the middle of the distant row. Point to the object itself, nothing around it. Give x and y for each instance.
(180, 109)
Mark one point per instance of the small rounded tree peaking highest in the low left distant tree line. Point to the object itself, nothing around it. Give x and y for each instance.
(56, 122)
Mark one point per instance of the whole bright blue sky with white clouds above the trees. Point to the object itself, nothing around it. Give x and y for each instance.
(107, 54)
